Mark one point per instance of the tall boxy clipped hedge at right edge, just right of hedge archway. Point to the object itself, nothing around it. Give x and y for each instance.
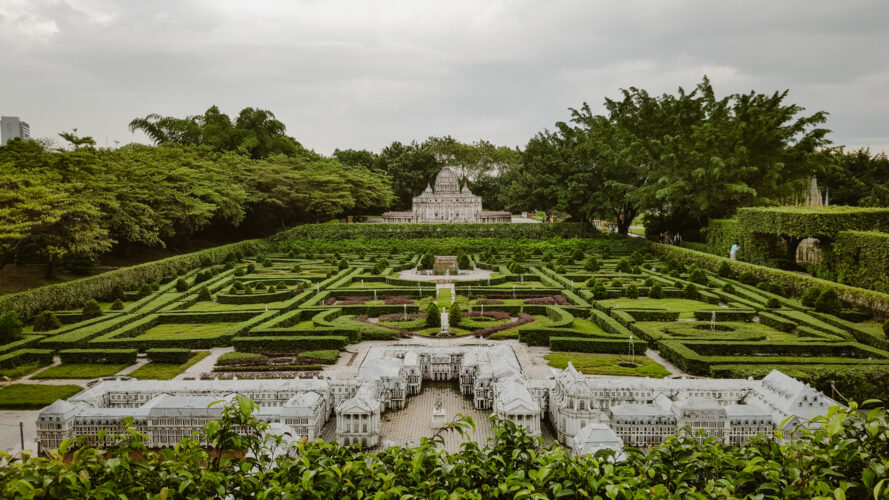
(862, 257)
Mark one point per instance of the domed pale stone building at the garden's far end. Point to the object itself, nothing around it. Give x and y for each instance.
(446, 203)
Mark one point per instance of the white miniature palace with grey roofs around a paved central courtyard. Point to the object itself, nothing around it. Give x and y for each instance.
(585, 413)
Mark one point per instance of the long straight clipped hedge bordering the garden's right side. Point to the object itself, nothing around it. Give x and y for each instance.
(869, 300)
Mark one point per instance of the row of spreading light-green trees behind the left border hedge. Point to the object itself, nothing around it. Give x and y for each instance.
(66, 208)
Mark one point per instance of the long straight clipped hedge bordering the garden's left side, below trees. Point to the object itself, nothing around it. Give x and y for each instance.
(73, 294)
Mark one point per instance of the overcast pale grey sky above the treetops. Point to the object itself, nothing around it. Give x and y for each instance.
(361, 74)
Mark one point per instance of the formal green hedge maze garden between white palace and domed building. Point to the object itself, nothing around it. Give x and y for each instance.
(286, 307)
